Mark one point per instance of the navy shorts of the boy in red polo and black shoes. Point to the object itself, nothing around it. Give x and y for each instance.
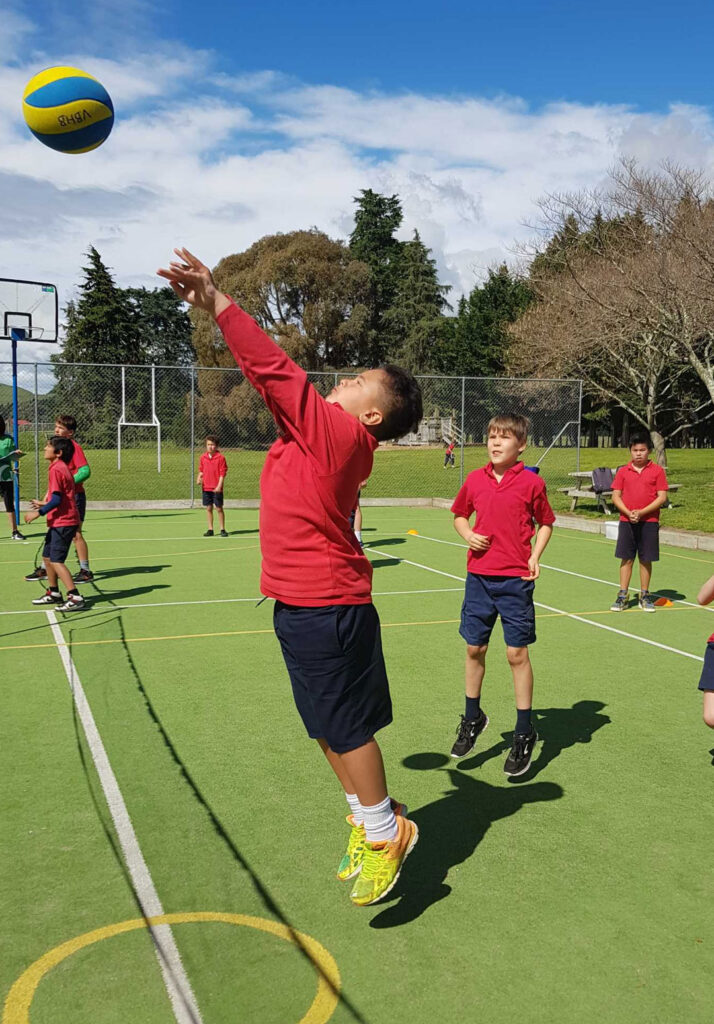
(488, 598)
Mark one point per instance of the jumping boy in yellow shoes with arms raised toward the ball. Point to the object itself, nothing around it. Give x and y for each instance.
(314, 568)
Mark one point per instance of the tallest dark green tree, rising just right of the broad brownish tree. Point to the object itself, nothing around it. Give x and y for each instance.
(373, 242)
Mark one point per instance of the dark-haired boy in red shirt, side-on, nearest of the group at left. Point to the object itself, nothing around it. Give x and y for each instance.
(63, 523)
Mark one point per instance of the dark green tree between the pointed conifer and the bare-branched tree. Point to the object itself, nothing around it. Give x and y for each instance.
(476, 342)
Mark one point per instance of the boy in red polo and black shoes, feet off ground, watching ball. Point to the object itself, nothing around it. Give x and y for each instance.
(502, 569)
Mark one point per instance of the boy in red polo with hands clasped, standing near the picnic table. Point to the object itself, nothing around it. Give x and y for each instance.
(640, 491)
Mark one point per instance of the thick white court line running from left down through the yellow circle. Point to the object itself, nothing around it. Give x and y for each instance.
(186, 1009)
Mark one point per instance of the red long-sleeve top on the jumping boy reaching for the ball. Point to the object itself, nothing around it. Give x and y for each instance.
(310, 482)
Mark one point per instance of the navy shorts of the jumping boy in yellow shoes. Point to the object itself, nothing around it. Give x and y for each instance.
(334, 659)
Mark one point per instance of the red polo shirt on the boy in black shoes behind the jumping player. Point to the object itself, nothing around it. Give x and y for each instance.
(507, 513)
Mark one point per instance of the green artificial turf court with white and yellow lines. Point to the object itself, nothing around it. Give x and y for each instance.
(152, 757)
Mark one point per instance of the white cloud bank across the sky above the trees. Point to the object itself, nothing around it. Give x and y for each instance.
(216, 162)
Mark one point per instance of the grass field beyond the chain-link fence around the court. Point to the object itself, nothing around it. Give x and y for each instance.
(398, 474)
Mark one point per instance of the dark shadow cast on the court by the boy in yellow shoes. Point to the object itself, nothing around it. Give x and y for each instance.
(450, 831)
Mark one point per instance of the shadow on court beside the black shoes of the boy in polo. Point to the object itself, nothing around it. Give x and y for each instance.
(558, 730)
